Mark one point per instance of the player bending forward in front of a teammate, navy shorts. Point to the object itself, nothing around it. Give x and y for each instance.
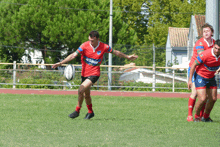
(207, 64)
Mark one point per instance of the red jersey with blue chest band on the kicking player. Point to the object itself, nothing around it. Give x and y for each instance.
(91, 57)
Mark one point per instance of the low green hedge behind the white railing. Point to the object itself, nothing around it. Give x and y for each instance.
(47, 78)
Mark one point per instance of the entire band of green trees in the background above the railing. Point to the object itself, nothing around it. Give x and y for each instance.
(62, 25)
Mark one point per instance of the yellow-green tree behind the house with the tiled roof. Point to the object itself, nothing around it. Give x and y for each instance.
(168, 13)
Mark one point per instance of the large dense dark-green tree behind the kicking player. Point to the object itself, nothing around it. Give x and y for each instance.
(59, 25)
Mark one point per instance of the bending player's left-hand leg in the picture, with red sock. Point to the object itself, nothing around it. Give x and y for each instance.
(201, 99)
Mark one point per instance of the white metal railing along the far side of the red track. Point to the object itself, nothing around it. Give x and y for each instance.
(153, 75)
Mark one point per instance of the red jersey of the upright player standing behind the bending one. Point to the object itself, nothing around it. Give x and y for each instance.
(200, 46)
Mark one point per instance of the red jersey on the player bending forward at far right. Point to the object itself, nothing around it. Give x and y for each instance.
(208, 64)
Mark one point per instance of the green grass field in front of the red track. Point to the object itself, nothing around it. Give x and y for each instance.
(42, 120)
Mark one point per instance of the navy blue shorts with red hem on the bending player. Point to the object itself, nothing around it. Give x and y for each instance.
(203, 83)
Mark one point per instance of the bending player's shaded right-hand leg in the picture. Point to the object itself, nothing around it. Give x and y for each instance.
(212, 98)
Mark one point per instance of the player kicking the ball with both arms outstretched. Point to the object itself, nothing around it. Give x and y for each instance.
(92, 52)
